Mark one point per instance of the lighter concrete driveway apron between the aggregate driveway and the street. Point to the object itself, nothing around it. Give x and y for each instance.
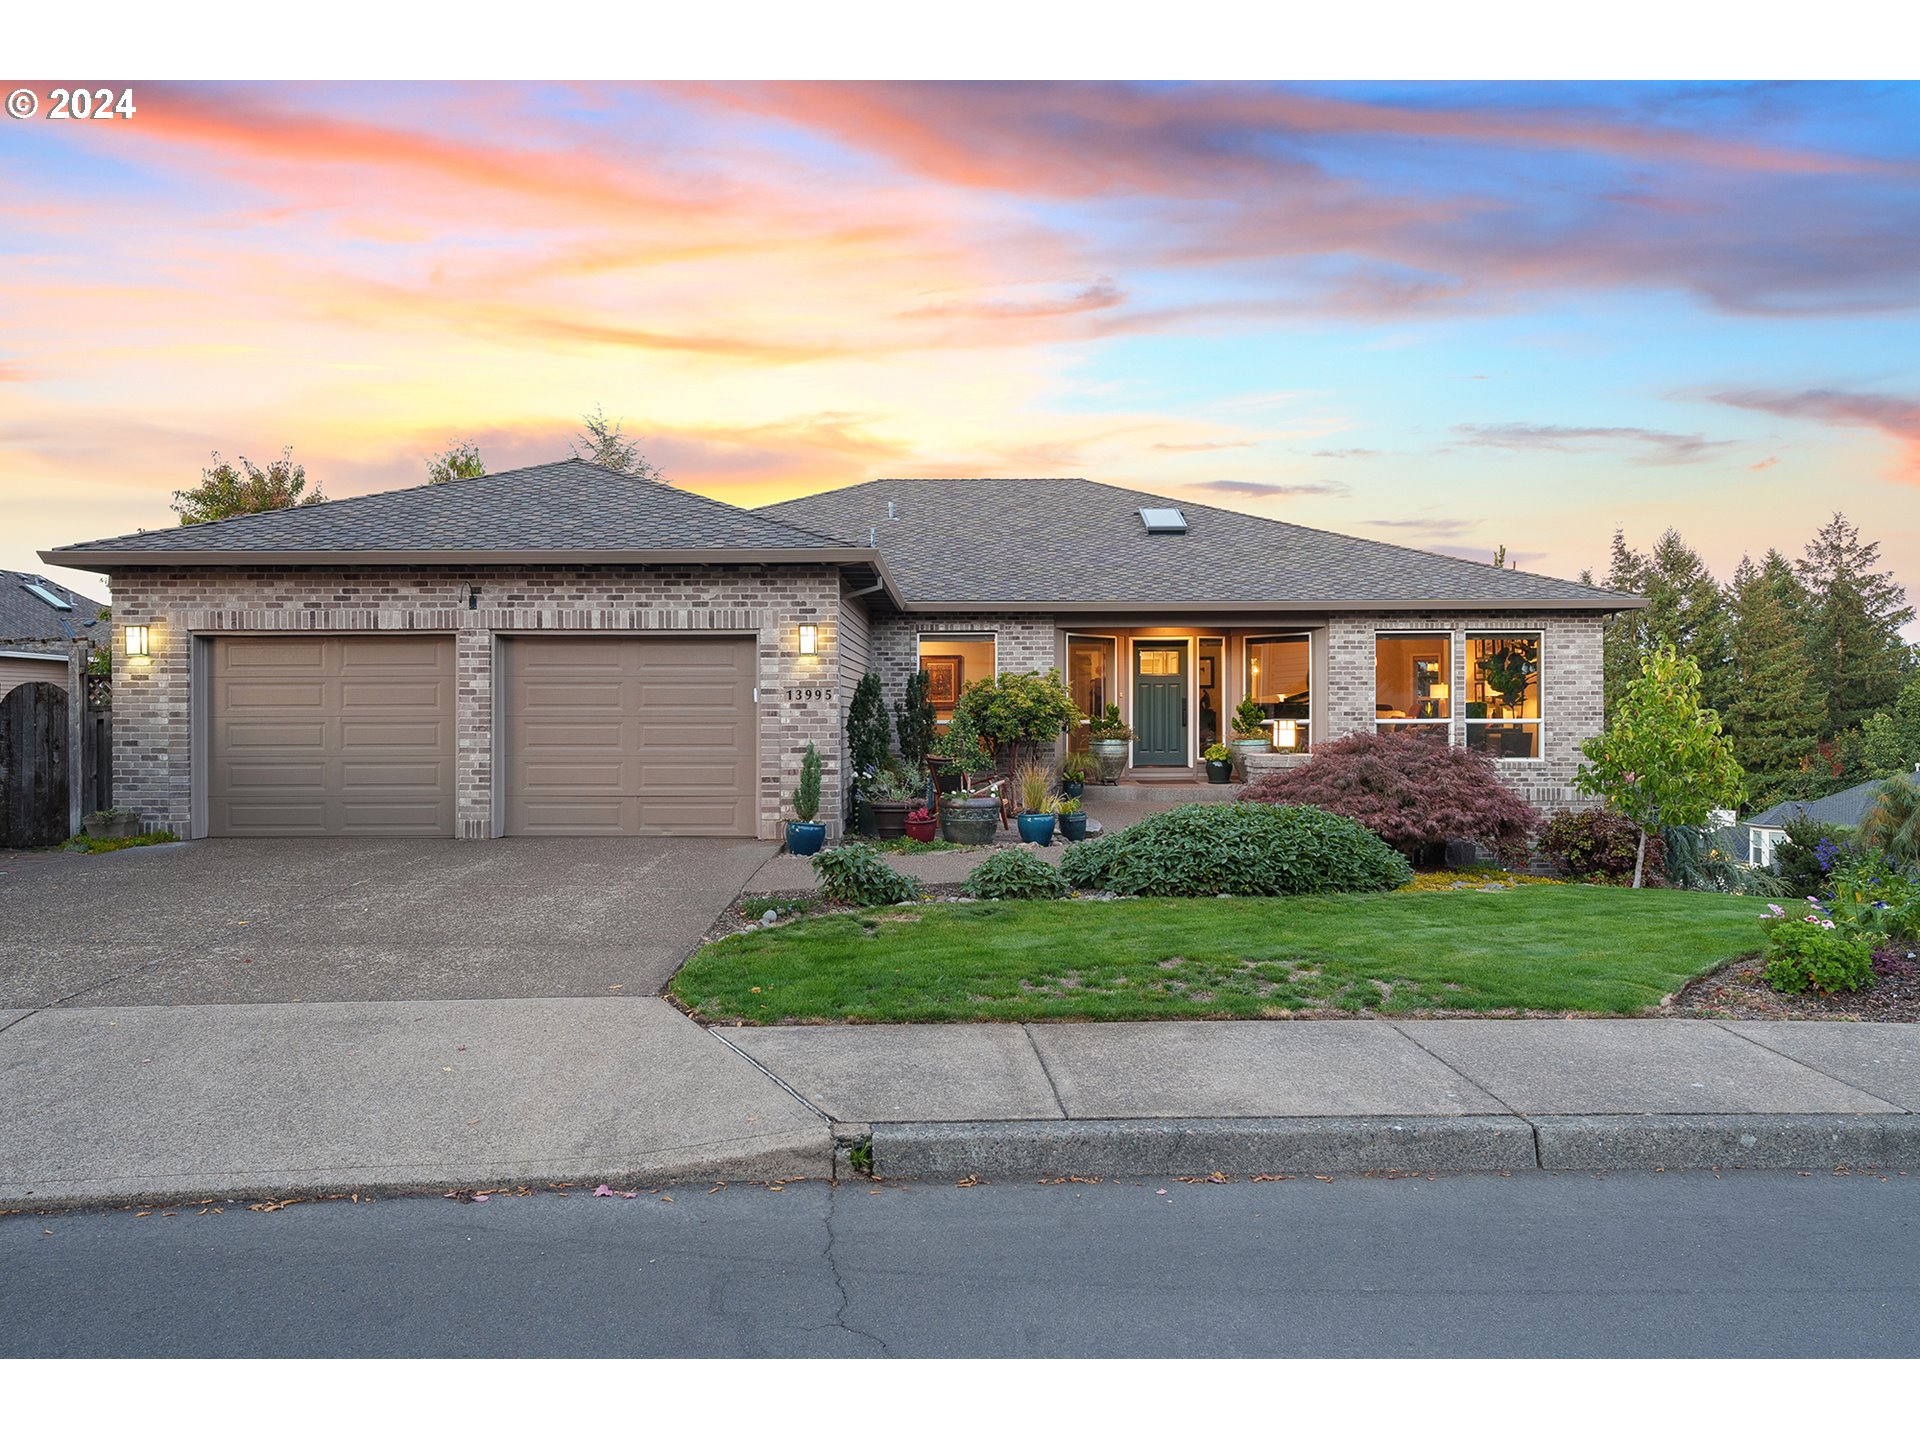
(185, 1103)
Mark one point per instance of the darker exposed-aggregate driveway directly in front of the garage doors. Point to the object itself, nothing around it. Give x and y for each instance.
(262, 923)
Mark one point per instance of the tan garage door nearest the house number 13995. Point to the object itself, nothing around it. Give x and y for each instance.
(631, 736)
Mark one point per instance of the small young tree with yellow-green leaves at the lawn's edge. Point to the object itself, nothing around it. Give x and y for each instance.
(1662, 759)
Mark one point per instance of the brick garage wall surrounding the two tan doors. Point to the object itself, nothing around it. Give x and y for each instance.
(153, 702)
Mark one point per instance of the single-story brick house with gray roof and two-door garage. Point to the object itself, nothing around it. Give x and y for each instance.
(569, 652)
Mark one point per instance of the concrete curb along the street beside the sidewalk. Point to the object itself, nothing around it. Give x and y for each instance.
(1026, 1149)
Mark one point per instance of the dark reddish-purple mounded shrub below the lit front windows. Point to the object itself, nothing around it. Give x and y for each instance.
(1410, 792)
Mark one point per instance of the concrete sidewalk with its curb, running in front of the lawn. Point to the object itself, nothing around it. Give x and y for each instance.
(942, 1101)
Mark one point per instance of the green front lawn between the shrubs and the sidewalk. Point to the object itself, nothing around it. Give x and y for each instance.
(1541, 948)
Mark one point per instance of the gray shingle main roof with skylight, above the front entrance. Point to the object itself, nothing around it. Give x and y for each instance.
(1078, 542)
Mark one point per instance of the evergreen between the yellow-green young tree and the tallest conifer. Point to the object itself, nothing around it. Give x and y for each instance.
(1773, 711)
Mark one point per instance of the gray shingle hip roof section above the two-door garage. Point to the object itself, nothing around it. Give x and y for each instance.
(544, 508)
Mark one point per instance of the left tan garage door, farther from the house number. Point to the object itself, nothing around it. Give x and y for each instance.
(331, 736)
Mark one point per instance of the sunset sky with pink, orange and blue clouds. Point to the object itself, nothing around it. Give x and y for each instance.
(1449, 316)
